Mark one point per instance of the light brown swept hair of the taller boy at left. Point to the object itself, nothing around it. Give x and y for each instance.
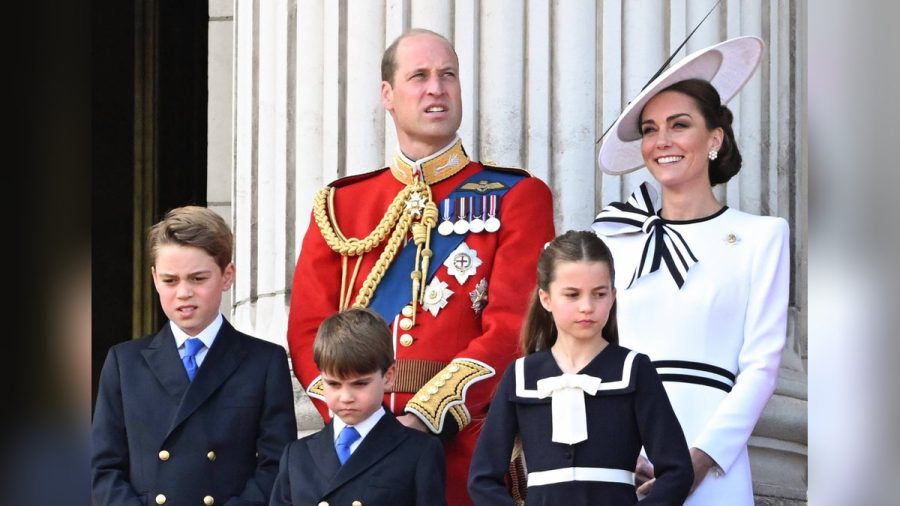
(193, 226)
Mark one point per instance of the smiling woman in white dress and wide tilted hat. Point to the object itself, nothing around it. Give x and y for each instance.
(704, 288)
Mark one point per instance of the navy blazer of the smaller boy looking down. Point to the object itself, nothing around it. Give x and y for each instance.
(394, 465)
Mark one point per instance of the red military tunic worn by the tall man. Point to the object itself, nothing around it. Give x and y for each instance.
(489, 338)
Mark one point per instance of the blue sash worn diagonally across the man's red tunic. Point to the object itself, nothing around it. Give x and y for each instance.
(395, 289)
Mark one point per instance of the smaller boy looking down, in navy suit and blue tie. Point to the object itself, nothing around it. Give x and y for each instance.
(363, 455)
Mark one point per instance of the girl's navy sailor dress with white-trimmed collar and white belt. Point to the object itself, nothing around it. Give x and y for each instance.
(629, 410)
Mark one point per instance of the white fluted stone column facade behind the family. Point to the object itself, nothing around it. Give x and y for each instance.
(294, 103)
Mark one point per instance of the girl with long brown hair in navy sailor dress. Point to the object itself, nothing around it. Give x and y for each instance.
(582, 406)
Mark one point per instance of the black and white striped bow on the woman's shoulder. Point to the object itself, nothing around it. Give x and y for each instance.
(664, 244)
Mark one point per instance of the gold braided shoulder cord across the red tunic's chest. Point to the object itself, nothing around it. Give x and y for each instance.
(412, 207)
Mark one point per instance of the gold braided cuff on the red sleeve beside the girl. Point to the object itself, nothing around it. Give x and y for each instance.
(445, 394)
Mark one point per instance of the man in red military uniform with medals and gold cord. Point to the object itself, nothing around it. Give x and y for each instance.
(444, 248)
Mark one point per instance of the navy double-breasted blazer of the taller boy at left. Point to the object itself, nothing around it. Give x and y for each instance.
(155, 433)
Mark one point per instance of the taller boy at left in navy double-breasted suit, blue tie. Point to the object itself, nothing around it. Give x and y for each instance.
(199, 412)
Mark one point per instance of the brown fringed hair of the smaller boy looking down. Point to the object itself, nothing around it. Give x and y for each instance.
(353, 342)
